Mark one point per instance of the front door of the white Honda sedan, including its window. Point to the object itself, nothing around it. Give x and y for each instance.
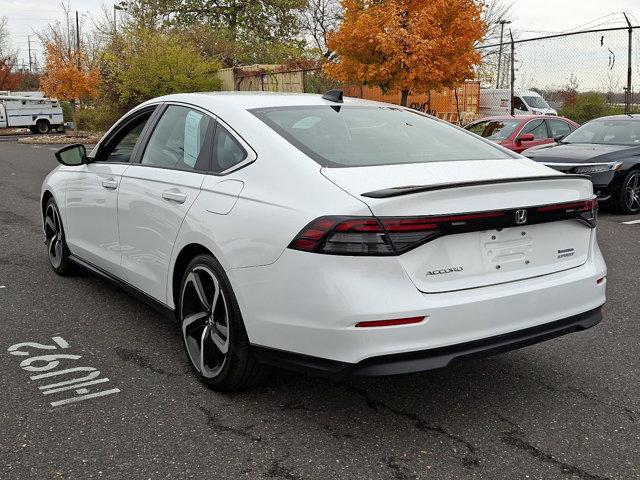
(92, 195)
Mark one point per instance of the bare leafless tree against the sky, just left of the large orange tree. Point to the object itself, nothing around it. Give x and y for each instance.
(319, 18)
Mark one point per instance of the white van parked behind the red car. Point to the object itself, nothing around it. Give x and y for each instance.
(495, 101)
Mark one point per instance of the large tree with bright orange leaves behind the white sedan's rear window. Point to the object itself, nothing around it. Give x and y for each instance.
(407, 46)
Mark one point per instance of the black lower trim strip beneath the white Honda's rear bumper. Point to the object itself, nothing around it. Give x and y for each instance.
(431, 358)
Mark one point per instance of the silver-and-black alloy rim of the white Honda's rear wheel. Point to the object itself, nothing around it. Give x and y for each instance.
(204, 315)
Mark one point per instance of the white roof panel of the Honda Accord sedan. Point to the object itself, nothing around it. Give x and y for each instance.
(247, 100)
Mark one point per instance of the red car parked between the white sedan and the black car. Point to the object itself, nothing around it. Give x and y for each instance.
(520, 132)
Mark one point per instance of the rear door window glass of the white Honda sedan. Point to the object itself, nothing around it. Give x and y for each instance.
(180, 140)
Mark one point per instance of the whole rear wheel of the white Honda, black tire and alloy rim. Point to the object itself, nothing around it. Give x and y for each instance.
(213, 332)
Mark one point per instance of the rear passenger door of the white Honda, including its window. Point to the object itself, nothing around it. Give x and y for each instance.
(157, 192)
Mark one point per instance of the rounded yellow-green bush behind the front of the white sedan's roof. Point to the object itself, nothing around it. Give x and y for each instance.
(142, 64)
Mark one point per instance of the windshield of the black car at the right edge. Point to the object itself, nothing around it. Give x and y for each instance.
(607, 132)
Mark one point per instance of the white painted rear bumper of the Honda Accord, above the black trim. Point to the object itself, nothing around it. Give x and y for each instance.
(309, 304)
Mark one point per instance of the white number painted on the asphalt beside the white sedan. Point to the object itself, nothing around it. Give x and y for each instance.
(64, 381)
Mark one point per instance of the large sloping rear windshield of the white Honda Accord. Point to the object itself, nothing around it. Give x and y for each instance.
(357, 136)
